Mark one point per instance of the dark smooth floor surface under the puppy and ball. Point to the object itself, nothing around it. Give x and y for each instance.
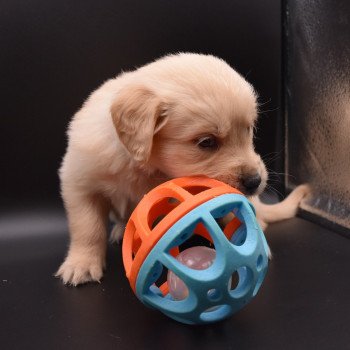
(304, 302)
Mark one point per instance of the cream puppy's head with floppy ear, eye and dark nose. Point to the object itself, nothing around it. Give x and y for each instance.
(189, 115)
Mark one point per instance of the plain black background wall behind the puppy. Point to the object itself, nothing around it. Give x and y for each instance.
(54, 53)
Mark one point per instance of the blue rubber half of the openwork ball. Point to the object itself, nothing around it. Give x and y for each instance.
(210, 296)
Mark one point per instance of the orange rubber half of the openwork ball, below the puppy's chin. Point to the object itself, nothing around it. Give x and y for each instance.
(159, 210)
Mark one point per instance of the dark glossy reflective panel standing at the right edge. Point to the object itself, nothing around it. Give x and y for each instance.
(317, 92)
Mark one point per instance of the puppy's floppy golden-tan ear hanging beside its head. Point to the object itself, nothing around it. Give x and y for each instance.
(138, 114)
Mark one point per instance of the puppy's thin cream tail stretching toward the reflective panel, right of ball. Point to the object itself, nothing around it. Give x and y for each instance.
(268, 214)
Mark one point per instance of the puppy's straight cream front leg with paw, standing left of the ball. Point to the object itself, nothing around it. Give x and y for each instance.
(87, 216)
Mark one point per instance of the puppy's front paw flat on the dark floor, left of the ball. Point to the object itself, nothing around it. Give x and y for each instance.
(81, 268)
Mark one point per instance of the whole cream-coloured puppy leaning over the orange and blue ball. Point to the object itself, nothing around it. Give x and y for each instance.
(185, 114)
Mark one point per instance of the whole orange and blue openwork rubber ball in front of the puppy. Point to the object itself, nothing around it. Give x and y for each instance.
(193, 250)
